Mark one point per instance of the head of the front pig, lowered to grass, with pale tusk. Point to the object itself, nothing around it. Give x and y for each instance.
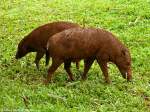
(123, 62)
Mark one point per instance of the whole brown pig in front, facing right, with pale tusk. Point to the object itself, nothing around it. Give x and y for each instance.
(89, 44)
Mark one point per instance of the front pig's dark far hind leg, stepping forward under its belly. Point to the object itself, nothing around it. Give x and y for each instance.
(67, 65)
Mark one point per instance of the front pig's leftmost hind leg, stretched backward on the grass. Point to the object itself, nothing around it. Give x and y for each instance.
(55, 64)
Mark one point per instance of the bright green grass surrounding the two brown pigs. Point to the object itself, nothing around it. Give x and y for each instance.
(21, 87)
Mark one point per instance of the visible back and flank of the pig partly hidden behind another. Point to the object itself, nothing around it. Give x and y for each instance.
(40, 35)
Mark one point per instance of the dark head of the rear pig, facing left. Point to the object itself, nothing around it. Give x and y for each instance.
(22, 50)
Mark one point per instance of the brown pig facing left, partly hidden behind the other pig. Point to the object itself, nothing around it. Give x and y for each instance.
(36, 40)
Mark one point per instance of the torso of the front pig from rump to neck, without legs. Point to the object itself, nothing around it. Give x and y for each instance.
(82, 43)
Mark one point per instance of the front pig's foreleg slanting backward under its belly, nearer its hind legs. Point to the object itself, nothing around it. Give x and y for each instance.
(87, 65)
